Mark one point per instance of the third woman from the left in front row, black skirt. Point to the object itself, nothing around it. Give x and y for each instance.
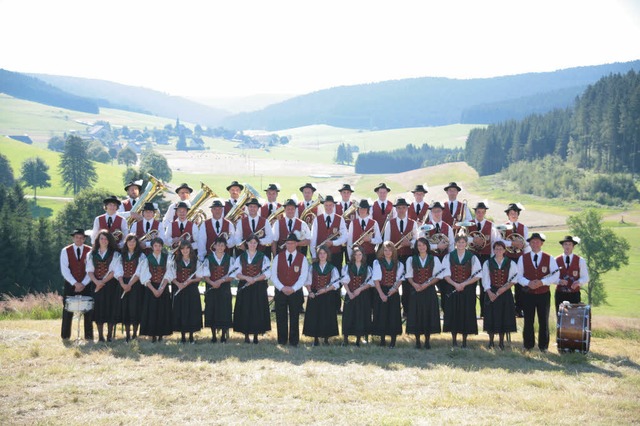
(156, 307)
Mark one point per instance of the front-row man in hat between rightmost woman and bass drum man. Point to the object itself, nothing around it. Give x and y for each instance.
(536, 272)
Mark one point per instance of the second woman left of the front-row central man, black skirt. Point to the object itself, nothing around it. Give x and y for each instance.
(217, 298)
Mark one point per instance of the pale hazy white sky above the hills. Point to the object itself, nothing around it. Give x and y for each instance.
(234, 48)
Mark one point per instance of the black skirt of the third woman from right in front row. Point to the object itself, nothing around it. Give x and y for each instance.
(424, 312)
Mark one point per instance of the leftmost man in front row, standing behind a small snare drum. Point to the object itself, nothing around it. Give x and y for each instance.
(73, 260)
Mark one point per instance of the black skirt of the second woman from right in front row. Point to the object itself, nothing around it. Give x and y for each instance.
(460, 311)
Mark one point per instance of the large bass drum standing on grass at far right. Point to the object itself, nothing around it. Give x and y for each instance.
(574, 327)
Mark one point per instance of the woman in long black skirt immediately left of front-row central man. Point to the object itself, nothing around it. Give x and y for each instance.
(251, 314)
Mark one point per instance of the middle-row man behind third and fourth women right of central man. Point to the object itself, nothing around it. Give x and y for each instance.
(402, 232)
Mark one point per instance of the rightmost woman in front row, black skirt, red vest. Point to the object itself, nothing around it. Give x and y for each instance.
(499, 274)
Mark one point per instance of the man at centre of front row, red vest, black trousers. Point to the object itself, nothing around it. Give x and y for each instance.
(291, 271)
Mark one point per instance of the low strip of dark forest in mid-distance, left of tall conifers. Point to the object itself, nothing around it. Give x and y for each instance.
(404, 159)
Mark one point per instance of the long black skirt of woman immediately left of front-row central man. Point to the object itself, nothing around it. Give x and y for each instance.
(251, 314)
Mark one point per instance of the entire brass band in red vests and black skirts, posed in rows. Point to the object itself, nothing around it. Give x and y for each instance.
(396, 261)
